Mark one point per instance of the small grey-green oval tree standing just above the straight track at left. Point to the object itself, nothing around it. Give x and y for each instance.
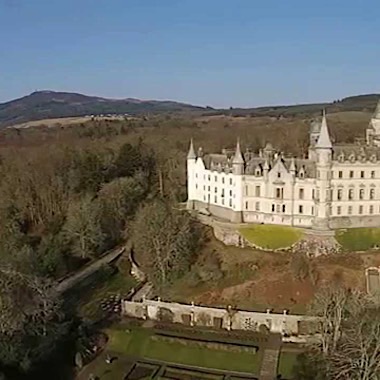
(83, 228)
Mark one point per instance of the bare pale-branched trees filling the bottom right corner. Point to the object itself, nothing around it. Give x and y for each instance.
(350, 338)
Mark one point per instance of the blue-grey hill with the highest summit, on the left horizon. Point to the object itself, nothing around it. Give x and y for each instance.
(51, 104)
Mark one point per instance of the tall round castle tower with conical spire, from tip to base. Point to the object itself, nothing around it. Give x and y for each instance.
(323, 151)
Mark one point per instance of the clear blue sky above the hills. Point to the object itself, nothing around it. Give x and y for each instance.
(208, 52)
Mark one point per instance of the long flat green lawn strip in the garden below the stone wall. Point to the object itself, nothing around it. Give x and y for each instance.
(140, 342)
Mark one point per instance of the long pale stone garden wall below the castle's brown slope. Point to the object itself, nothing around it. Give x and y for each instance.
(229, 319)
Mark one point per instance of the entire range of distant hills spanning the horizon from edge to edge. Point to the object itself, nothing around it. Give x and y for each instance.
(42, 105)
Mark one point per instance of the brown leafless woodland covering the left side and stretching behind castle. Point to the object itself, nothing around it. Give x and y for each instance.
(69, 194)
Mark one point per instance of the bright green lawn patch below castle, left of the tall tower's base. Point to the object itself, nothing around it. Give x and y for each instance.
(270, 236)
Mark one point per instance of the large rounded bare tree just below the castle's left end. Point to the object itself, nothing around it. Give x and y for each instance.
(165, 241)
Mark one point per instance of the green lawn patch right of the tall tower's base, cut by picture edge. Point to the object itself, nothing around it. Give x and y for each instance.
(358, 239)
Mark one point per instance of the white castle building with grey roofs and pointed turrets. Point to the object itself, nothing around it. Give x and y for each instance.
(336, 186)
